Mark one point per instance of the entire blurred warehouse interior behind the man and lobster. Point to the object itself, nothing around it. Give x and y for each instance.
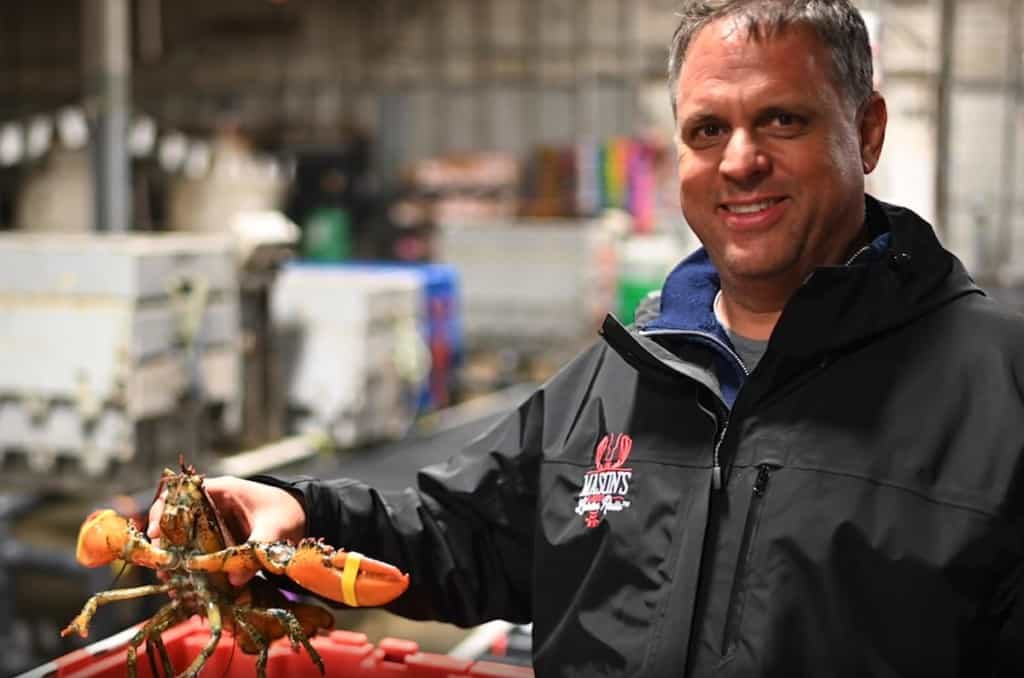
(314, 237)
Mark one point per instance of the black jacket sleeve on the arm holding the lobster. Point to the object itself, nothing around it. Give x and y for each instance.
(465, 534)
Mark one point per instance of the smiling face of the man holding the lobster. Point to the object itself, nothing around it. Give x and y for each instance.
(772, 156)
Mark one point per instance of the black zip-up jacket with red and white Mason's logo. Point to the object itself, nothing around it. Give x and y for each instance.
(868, 521)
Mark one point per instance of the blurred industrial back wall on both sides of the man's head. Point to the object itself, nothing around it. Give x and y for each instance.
(434, 77)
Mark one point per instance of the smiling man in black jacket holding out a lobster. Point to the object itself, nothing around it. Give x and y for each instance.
(805, 462)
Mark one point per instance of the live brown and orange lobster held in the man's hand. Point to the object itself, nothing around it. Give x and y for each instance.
(195, 558)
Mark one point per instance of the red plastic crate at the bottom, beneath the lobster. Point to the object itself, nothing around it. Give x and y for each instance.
(346, 655)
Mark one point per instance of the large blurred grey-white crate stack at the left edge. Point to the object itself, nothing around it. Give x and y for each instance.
(104, 336)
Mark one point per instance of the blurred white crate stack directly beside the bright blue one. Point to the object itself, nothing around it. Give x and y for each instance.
(354, 361)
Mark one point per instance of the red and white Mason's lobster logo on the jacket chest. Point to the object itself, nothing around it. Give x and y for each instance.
(607, 486)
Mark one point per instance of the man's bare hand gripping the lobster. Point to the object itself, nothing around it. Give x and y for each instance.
(252, 512)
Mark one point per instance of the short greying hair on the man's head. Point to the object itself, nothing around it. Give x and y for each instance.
(838, 25)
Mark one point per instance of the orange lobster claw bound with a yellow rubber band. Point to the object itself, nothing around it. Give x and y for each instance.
(343, 576)
